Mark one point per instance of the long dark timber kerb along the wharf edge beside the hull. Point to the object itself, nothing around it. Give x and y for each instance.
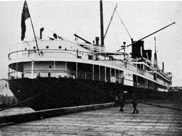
(37, 115)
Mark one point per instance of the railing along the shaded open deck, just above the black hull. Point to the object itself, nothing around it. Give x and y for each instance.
(64, 74)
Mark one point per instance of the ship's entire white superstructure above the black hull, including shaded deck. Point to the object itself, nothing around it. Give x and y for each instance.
(27, 60)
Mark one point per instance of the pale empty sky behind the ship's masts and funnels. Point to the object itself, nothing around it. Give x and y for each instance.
(82, 17)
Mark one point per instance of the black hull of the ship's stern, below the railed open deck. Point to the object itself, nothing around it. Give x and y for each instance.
(46, 93)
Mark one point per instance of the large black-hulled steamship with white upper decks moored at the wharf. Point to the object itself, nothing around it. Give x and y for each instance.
(58, 72)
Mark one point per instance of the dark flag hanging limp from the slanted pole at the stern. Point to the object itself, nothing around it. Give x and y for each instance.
(25, 15)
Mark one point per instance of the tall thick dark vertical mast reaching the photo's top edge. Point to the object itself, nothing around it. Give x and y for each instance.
(101, 24)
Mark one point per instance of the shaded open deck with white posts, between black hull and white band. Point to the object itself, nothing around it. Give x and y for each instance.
(68, 70)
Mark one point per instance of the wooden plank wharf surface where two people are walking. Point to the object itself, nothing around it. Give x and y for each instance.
(151, 121)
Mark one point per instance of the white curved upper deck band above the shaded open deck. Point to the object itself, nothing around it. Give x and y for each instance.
(61, 50)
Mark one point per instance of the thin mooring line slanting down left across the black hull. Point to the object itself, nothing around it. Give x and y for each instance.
(26, 100)
